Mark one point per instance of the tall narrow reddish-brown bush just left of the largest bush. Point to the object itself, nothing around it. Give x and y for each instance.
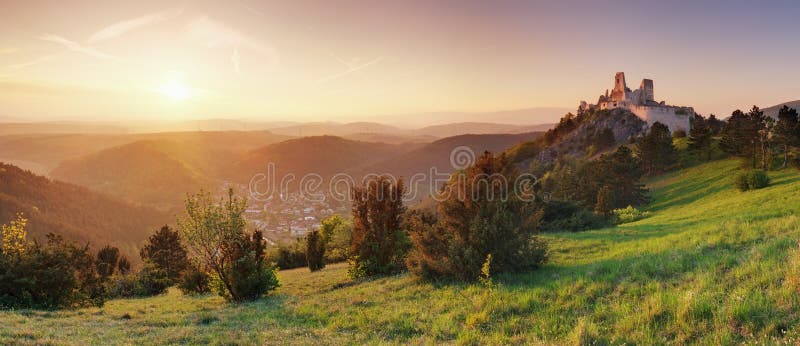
(379, 244)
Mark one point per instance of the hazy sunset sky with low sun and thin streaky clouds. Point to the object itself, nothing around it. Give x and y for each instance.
(375, 60)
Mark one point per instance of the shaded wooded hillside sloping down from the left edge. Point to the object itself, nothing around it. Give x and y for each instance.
(75, 212)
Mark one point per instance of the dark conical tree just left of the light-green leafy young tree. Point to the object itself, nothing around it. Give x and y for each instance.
(166, 251)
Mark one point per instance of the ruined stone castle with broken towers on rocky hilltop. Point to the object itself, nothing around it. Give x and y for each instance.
(642, 103)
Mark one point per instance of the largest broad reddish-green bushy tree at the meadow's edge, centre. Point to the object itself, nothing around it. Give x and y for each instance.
(480, 214)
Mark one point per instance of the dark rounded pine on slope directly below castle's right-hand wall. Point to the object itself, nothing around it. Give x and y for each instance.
(655, 150)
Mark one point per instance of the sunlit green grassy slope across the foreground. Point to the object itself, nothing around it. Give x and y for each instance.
(709, 265)
